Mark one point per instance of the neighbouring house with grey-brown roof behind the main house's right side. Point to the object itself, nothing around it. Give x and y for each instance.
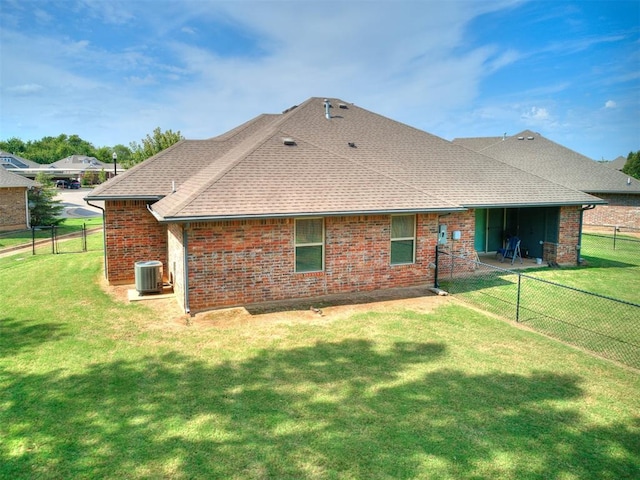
(535, 154)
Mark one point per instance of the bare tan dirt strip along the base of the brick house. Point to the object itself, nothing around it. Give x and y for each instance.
(317, 310)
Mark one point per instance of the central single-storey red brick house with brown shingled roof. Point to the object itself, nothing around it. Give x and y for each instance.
(320, 200)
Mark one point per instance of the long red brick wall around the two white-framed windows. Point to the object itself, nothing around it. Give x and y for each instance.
(243, 262)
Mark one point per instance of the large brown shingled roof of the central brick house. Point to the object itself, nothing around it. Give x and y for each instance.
(356, 162)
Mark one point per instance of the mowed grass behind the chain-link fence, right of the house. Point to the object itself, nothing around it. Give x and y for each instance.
(553, 300)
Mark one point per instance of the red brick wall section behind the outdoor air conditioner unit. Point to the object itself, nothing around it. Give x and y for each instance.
(132, 235)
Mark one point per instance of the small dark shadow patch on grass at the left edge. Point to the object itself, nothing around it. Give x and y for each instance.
(18, 335)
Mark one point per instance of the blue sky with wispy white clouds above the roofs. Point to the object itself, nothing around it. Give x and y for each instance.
(112, 71)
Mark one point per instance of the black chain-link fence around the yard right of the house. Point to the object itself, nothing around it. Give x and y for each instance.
(606, 326)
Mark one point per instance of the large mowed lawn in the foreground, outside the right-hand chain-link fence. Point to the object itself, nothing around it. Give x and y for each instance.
(95, 388)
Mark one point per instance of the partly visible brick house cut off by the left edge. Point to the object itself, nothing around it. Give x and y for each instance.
(14, 203)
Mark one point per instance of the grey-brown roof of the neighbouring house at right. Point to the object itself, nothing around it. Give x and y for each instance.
(536, 154)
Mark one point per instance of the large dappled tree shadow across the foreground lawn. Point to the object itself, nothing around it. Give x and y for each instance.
(332, 410)
